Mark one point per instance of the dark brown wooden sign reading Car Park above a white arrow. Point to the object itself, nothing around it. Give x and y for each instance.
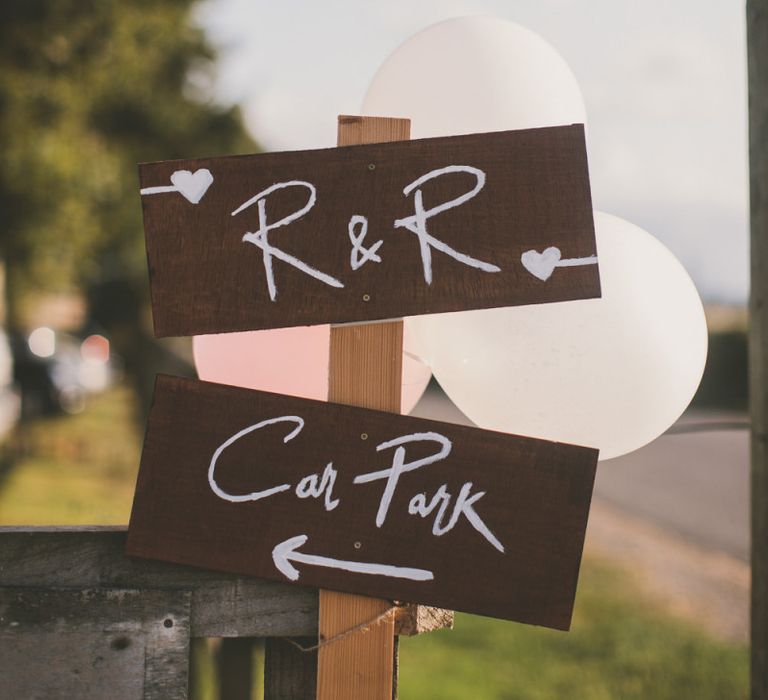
(362, 501)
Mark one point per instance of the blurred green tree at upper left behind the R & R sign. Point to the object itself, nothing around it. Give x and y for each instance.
(88, 89)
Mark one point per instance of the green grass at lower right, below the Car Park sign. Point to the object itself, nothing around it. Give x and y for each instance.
(618, 647)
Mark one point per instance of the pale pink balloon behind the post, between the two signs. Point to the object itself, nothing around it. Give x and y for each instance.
(291, 361)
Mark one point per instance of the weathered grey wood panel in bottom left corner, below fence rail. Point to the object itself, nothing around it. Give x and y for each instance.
(117, 644)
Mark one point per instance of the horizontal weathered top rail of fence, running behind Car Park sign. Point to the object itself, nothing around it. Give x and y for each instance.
(222, 605)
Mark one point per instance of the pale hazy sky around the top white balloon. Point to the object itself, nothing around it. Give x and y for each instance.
(664, 85)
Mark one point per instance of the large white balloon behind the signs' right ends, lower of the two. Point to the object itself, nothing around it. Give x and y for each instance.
(612, 373)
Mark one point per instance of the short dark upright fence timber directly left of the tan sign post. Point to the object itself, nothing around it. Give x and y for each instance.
(289, 672)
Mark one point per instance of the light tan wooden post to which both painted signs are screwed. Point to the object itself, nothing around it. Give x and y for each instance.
(365, 370)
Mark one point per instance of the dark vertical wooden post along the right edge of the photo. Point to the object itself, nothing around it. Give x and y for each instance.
(757, 61)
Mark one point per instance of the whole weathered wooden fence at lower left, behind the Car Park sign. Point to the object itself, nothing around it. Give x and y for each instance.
(79, 619)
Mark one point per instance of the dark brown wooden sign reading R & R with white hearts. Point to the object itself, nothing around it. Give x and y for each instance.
(369, 232)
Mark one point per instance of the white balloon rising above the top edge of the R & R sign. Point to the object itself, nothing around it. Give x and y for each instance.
(475, 74)
